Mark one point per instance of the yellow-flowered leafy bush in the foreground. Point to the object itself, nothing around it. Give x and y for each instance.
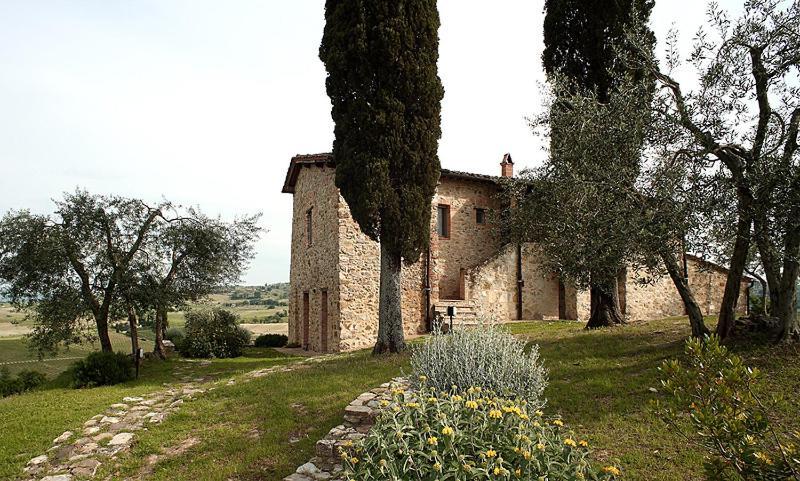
(433, 435)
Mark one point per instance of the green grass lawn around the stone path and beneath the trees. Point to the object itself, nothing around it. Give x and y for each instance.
(599, 382)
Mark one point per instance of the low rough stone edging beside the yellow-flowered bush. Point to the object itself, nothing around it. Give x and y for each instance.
(359, 416)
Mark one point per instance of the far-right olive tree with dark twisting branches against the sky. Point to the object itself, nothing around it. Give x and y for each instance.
(741, 121)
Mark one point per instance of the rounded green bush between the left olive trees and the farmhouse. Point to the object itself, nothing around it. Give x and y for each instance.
(213, 333)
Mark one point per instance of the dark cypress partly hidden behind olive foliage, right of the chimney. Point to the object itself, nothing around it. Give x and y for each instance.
(581, 41)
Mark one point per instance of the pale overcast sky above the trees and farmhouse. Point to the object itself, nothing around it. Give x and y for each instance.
(204, 102)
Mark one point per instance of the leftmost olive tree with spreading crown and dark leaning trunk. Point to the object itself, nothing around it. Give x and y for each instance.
(69, 267)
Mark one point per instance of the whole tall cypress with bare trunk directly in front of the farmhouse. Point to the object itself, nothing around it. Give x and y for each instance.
(386, 94)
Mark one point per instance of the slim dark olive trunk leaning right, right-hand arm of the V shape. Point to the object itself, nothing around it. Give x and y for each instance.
(727, 311)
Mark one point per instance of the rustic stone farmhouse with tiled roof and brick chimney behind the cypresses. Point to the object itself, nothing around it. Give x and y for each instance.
(333, 298)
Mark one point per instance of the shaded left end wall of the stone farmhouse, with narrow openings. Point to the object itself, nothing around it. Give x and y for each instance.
(315, 268)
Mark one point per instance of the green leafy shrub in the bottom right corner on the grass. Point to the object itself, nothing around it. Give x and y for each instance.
(713, 394)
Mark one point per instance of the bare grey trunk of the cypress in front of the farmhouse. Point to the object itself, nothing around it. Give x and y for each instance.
(390, 315)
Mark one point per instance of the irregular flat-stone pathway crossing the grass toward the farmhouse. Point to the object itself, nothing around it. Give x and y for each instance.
(79, 453)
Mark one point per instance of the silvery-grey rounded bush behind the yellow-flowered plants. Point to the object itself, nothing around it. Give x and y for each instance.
(488, 357)
